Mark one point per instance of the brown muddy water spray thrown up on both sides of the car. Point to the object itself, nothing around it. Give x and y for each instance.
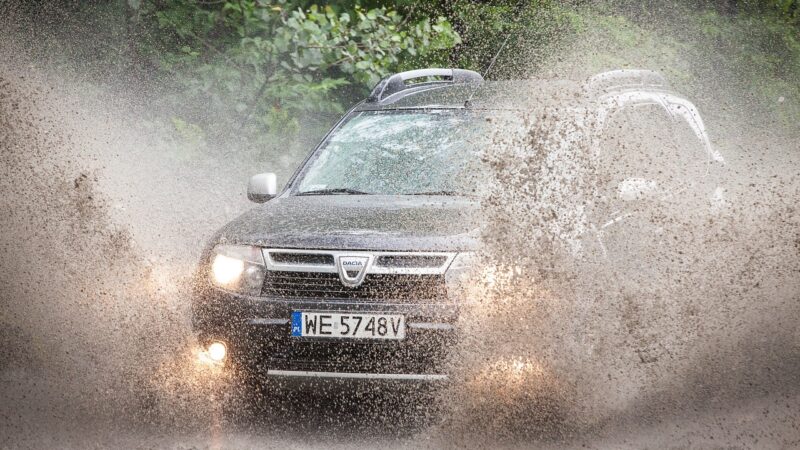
(696, 346)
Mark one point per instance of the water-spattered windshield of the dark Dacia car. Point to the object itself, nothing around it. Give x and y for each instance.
(397, 153)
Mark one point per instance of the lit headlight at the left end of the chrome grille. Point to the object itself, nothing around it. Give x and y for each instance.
(238, 268)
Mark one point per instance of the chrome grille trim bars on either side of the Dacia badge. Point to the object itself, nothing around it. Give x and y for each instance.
(440, 261)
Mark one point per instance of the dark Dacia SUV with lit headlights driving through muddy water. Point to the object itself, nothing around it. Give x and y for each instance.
(349, 271)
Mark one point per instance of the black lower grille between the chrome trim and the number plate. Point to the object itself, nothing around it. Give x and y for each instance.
(399, 287)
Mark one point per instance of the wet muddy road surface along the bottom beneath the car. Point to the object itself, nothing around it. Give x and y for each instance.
(39, 414)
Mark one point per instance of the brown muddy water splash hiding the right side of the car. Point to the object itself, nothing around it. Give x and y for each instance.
(692, 302)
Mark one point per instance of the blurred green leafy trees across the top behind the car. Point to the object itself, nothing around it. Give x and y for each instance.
(268, 77)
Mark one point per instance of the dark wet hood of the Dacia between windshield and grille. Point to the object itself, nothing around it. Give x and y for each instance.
(359, 222)
